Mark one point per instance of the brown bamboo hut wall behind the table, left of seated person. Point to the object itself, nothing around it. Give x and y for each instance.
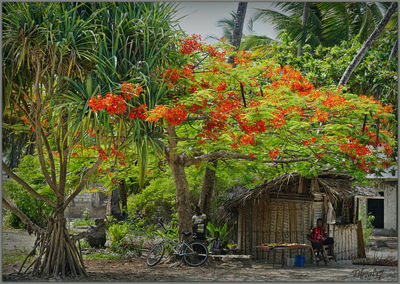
(265, 220)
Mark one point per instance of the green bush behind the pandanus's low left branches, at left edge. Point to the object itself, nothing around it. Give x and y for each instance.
(38, 211)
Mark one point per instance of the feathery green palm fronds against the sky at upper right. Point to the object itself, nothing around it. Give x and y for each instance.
(327, 23)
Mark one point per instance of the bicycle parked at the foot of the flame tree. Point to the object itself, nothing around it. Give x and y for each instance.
(194, 253)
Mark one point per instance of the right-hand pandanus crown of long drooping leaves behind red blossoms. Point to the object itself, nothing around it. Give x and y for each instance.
(134, 42)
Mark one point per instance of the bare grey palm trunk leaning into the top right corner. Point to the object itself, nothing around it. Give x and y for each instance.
(367, 45)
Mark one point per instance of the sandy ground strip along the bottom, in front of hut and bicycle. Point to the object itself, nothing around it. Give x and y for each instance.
(135, 269)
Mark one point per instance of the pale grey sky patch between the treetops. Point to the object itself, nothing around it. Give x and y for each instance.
(202, 18)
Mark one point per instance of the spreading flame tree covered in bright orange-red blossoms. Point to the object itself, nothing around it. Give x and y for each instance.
(253, 110)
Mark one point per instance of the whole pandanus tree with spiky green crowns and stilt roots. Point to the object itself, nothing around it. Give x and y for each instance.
(54, 58)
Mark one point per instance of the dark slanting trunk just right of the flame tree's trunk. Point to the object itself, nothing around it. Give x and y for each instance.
(207, 189)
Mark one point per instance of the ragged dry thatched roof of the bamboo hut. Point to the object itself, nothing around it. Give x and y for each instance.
(337, 186)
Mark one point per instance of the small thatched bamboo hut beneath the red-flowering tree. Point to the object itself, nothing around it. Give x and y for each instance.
(286, 208)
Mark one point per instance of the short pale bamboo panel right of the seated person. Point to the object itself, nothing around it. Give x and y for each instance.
(345, 237)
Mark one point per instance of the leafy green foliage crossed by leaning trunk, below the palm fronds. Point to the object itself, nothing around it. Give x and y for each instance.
(324, 66)
